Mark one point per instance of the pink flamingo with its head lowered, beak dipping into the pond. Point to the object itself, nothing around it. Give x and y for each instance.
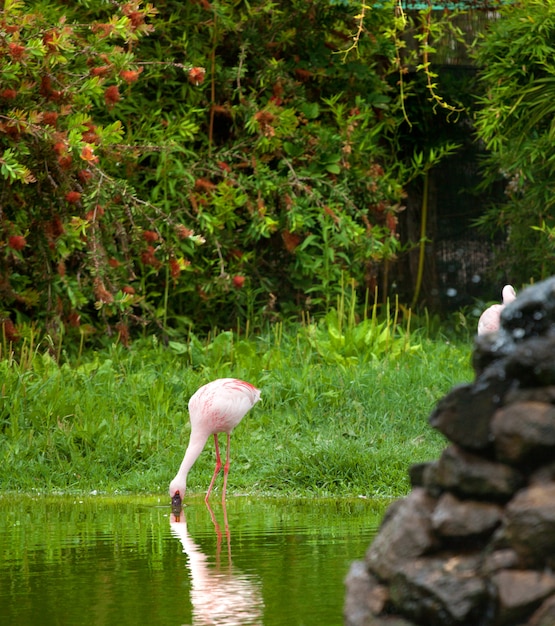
(217, 407)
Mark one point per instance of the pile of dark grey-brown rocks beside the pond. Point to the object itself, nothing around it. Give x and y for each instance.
(473, 544)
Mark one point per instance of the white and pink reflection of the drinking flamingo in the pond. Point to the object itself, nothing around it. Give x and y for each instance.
(220, 594)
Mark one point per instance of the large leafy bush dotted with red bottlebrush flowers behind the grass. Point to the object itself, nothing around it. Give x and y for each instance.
(198, 164)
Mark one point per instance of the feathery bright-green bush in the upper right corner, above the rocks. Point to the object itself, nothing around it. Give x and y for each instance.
(516, 61)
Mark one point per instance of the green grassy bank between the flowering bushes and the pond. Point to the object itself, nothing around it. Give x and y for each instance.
(344, 411)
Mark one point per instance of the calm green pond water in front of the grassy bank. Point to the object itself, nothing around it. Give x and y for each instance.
(128, 561)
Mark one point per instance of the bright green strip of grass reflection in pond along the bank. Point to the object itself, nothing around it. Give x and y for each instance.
(53, 524)
